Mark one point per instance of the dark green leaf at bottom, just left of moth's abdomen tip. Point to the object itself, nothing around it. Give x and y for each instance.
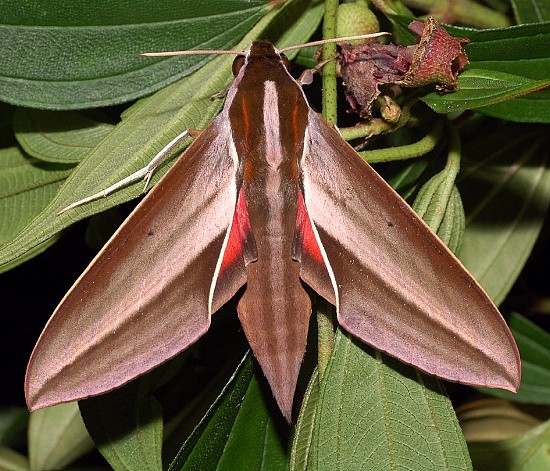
(238, 418)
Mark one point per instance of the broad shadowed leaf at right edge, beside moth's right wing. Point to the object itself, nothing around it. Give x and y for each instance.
(505, 187)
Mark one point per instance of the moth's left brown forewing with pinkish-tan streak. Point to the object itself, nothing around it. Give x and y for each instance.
(148, 293)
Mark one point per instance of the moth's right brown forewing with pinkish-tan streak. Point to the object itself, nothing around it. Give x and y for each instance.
(397, 287)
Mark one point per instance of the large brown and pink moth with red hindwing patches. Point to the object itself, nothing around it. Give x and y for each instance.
(269, 197)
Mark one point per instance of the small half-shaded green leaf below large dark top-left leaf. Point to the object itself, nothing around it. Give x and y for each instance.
(63, 137)
